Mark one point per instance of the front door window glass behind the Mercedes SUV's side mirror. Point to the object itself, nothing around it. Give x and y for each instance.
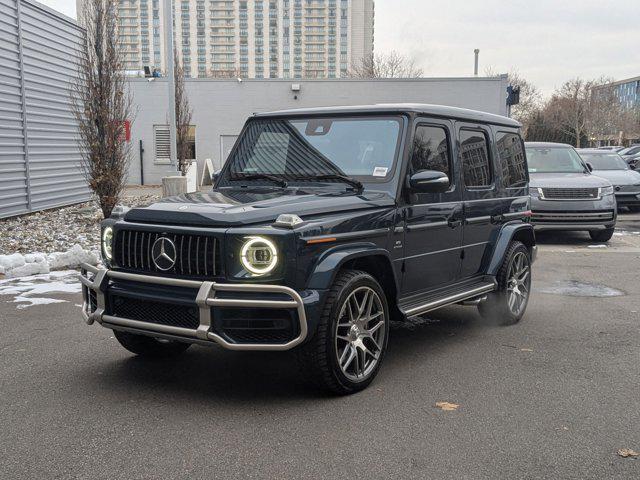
(430, 150)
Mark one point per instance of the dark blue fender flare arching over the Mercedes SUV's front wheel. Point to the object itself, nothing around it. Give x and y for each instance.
(328, 265)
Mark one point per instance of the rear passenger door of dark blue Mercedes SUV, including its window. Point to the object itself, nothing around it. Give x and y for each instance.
(483, 207)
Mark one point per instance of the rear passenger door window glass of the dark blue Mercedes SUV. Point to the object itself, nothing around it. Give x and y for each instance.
(474, 152)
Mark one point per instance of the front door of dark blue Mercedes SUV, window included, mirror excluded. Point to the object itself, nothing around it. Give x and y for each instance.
(433, 221)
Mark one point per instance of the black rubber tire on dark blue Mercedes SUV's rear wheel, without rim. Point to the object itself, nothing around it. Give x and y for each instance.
(496, 307)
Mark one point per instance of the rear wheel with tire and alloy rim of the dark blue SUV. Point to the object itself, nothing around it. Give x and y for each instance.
(507, 305)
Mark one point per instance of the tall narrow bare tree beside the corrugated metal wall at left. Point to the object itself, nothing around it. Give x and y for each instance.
(101, 104)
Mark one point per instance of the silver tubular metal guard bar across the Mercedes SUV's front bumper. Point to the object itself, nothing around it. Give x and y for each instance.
(95, 291)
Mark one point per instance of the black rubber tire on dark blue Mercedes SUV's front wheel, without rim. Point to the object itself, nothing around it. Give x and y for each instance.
(318, 358)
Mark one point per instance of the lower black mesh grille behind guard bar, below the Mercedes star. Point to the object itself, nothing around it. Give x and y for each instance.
(160, 313)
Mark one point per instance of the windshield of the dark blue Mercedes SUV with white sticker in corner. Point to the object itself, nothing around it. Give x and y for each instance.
(298, 149)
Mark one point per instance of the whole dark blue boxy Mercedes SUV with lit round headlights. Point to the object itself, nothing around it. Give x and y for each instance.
(323, 226)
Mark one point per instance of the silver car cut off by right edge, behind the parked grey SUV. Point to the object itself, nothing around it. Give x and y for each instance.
(625, 181)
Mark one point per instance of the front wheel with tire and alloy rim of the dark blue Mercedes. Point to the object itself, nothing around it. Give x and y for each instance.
(351, 338)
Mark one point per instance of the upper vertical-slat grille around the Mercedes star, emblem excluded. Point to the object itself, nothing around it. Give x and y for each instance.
(196, 255)
